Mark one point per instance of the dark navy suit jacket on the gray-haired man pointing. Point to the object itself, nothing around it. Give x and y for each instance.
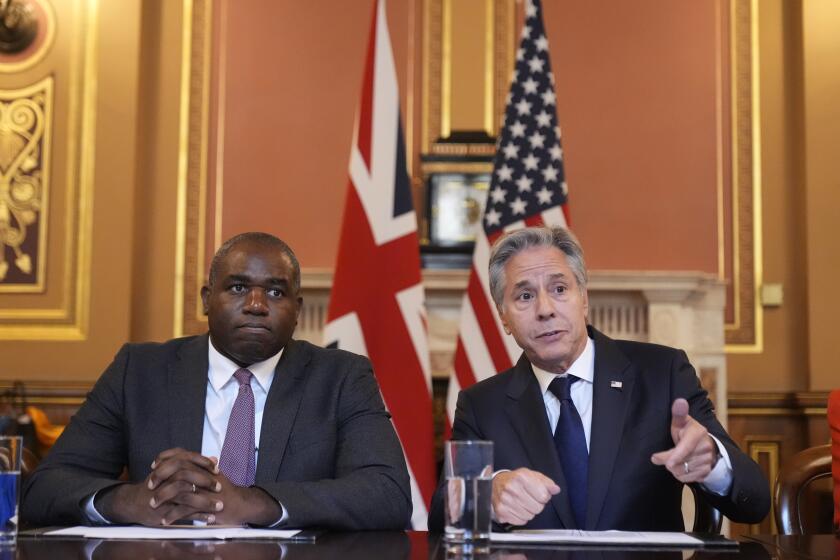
(629, 424)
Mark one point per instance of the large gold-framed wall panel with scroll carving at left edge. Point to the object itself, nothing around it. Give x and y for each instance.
(47, 138)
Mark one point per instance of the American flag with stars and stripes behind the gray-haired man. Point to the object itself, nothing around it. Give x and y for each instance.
(527, 188)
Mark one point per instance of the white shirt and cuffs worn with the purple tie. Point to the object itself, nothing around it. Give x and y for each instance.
(222, 389)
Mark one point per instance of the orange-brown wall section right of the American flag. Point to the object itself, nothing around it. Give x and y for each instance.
(636, 102)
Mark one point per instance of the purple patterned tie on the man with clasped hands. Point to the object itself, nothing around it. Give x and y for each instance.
(237, 457)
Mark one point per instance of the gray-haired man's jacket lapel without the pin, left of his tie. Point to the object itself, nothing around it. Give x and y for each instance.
(526, 409)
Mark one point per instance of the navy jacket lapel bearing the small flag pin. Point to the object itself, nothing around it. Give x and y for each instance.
(609, 407)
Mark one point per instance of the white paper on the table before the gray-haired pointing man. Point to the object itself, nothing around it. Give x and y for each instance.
(572, 536)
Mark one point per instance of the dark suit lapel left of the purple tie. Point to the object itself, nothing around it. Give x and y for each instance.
(187, 394)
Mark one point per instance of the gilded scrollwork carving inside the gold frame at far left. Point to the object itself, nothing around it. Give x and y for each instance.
(24, 147)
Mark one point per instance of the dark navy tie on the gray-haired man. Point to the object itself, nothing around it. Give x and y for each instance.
(570, 441)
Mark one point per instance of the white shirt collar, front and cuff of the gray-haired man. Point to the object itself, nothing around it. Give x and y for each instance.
(718, 481)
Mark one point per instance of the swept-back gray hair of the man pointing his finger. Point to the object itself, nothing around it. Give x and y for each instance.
(510, 245)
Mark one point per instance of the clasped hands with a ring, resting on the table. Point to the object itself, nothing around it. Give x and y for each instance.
(188, 486)
